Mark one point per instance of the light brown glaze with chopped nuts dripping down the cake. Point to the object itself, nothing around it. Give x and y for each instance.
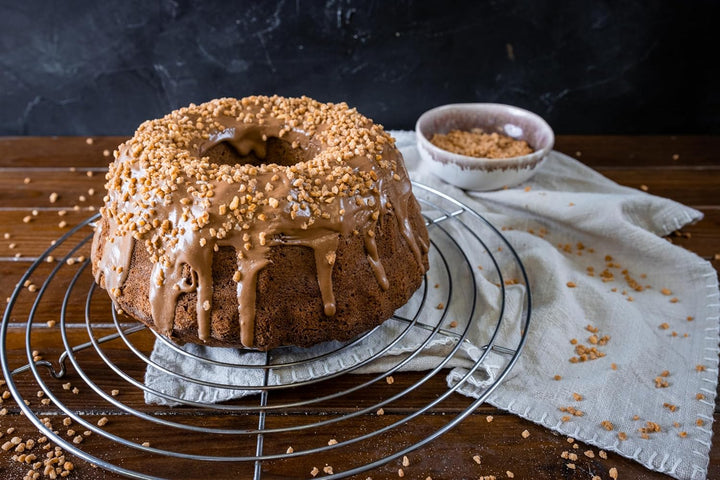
(184, 209)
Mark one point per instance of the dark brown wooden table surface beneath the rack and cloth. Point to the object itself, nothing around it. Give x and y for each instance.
(684, 168)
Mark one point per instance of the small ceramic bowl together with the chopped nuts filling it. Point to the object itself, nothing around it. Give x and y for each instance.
(483, 146)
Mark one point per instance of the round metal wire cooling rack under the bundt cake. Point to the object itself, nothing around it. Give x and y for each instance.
(471, 316)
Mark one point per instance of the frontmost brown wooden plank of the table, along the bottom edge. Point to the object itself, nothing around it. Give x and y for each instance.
(499, 444)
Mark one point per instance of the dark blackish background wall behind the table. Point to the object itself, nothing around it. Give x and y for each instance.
(80, 68)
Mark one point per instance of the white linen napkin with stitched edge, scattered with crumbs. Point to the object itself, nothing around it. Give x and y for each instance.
(604, 284)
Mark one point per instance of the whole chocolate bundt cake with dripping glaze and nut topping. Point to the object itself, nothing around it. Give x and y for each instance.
(260, 222)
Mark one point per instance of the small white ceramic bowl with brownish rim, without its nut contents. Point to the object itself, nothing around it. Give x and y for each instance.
(483, 173)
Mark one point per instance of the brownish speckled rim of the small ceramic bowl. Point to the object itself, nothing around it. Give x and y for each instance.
(482, 163)
